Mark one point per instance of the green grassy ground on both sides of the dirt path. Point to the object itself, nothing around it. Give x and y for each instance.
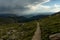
(25, 31)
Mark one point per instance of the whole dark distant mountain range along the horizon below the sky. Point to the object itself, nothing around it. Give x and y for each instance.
(12, 18)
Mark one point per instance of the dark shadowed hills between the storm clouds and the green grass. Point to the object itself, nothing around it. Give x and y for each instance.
(20, 19)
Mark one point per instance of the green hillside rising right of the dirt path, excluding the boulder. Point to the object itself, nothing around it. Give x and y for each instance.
(50, 25)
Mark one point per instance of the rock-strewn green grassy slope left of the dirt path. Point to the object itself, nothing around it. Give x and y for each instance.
(18, 31)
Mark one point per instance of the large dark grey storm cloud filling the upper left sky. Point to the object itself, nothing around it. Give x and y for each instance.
(17, 6)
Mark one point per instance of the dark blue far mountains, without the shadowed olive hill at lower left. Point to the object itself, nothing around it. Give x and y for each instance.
(25, 18)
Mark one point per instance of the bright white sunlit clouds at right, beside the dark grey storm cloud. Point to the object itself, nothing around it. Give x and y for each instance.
(44, 8)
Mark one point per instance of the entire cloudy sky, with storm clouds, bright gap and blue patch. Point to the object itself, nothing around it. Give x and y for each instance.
(22, 7)
